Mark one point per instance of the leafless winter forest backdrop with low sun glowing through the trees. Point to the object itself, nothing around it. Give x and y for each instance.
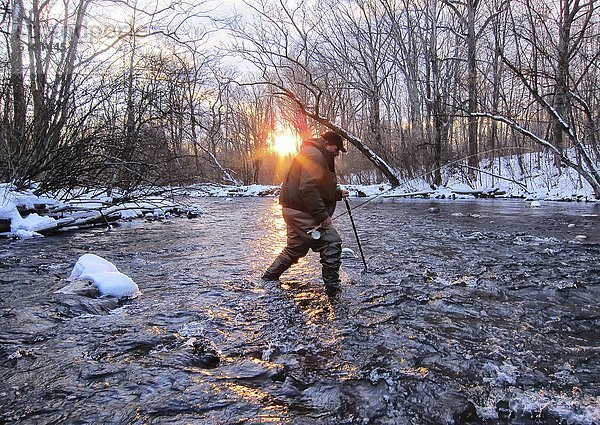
(141, 93)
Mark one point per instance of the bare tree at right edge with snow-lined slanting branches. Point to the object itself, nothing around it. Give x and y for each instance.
(553, 57)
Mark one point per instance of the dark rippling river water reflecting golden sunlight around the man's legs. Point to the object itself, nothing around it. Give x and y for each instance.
(485, 312)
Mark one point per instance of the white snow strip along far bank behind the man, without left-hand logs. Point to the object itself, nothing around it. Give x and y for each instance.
(531, 176)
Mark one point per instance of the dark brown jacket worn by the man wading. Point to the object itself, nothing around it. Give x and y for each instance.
(310, 184)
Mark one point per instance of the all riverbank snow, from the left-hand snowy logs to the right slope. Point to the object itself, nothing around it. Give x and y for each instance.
(532, 177)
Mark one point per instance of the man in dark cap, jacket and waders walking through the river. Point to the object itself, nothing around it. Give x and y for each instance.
(308, 197)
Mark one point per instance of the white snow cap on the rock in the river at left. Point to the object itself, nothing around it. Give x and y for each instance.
(105, 276)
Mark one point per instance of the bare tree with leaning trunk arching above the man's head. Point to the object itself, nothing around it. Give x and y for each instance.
(283, 46)
